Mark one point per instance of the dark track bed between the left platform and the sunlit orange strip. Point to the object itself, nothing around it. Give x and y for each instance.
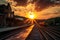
(7, 34)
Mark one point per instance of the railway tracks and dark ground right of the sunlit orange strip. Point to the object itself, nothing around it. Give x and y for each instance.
(46, 33)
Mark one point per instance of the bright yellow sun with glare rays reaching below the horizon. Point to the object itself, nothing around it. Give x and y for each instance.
(31, 17)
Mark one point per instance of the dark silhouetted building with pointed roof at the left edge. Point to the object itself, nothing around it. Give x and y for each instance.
(5, 11)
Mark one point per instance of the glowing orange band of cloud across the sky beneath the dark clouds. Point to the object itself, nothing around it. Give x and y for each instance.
(44, 14)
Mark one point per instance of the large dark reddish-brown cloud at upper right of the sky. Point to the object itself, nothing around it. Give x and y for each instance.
(42, 4)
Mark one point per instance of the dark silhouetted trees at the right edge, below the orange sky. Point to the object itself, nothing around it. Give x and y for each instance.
(53, 22)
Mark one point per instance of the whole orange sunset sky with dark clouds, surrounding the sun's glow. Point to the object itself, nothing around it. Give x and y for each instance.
(43, 8)
